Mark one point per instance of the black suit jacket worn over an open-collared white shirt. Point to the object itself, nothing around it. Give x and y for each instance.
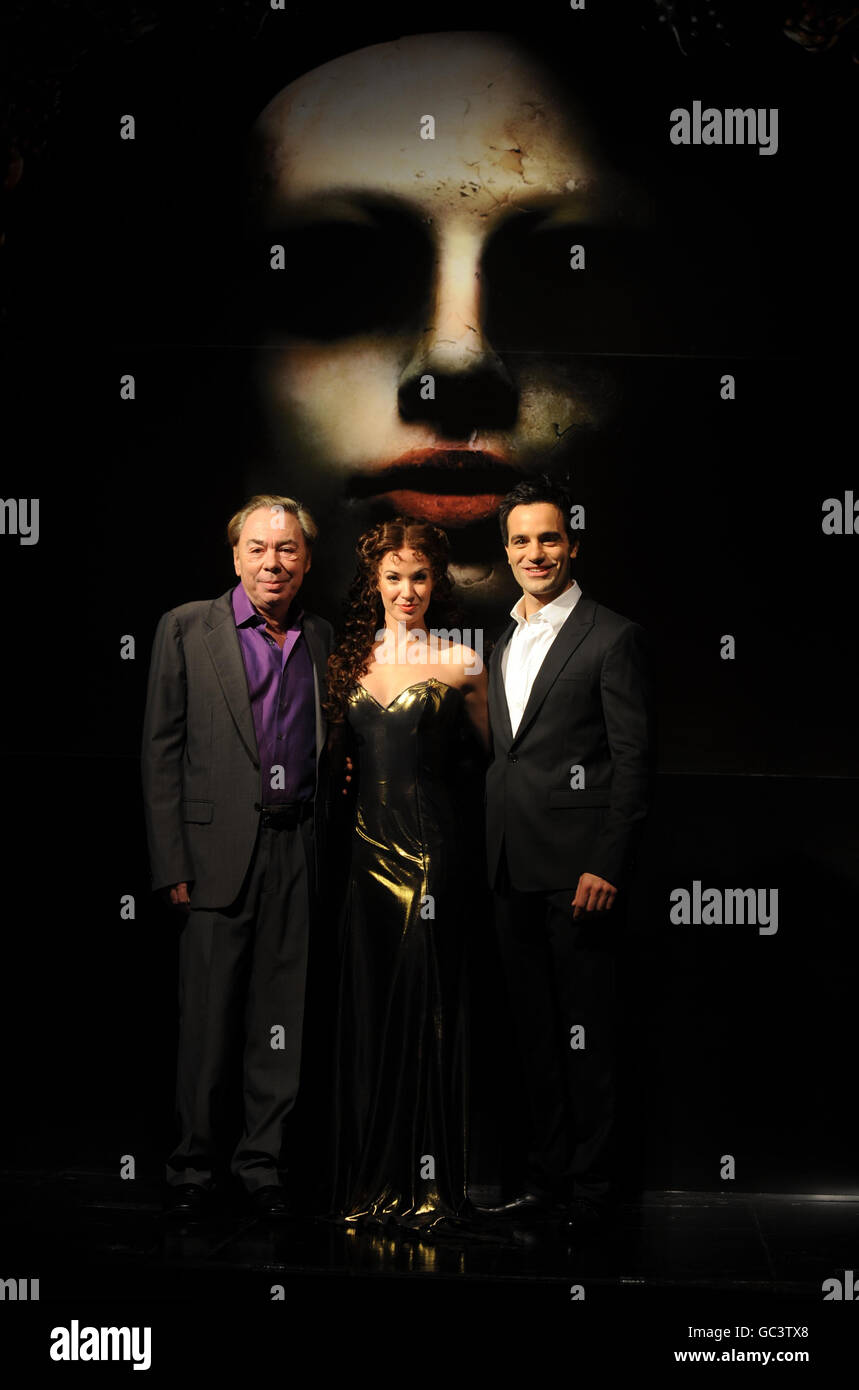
(590, 707)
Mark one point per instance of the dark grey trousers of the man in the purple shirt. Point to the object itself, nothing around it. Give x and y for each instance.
(241, 983)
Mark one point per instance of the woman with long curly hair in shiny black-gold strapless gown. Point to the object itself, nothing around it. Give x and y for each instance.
(411, 700)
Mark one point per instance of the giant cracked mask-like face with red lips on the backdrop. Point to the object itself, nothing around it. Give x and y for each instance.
(419, 338)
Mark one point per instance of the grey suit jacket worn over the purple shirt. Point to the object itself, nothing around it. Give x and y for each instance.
(201, 764)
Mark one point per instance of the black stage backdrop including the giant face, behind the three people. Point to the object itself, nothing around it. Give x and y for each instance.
(397, 273)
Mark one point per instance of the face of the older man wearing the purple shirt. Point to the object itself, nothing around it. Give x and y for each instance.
(272, 559)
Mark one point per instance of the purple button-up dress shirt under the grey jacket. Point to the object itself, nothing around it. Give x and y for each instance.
(280, 683)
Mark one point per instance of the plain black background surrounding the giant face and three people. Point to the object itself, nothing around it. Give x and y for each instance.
(704, 518)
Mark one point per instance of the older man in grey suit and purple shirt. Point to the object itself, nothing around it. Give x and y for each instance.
(234, 793)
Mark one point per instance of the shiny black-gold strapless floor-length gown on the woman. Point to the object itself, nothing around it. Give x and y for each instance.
(400, 1104)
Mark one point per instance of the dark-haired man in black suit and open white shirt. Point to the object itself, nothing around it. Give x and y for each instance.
(566, 799)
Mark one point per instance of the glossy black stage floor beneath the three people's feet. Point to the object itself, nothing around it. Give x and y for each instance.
(115, 1236)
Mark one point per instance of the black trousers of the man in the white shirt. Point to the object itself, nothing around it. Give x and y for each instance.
(561, 975)
